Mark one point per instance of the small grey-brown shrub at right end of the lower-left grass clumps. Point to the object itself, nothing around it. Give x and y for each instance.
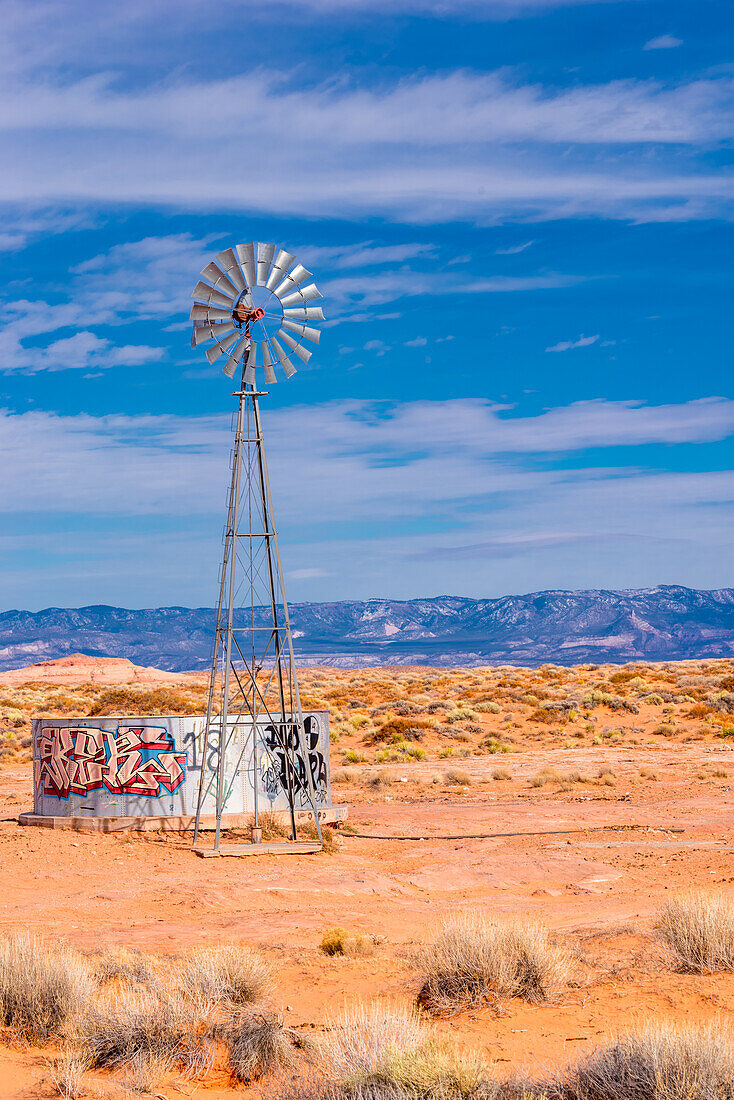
(257, 1044)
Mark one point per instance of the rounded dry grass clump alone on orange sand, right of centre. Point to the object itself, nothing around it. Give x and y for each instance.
(476, 959)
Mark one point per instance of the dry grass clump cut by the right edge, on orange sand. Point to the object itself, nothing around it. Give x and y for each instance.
(698, 929)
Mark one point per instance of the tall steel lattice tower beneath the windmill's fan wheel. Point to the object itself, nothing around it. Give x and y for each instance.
(254, 674)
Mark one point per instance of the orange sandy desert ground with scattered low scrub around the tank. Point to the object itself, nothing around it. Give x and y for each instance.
(585, 799)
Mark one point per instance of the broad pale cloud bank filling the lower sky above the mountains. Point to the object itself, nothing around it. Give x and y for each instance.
(381, 499)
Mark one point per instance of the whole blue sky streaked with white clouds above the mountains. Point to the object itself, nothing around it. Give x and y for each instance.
(521, 217)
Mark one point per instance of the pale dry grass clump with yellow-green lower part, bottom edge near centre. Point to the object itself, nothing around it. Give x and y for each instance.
(386, 1051)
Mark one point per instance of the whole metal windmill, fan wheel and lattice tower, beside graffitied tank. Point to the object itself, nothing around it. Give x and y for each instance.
(255, 305)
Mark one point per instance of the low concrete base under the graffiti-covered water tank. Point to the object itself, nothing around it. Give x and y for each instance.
(177, 824)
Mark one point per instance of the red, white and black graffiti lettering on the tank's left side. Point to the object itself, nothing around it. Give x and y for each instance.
(127, 761)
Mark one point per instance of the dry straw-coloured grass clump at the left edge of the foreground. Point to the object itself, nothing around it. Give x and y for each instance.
(43, 989)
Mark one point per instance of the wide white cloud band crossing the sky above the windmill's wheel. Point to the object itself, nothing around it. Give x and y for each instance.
(518, 151)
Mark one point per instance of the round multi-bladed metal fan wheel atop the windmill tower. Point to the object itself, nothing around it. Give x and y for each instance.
(255, 302)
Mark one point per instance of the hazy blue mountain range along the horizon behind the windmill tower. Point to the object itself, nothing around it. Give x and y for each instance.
(664, 623)
